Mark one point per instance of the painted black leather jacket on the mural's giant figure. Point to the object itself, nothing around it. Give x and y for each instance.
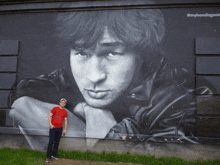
(162, 108)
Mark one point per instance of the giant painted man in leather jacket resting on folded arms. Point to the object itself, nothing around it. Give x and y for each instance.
(117, 81)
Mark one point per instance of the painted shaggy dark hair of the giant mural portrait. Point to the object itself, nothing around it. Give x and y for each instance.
(142, 30)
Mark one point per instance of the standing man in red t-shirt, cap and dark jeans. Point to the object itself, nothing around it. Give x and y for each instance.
(56, 128)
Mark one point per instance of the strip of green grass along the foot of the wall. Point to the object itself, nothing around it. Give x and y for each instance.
(25, 156)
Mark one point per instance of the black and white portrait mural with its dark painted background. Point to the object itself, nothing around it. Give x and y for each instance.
(126, 73)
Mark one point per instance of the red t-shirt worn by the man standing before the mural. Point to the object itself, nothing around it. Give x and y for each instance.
(58, 115)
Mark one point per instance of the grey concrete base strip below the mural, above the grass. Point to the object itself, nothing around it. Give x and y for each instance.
(185, 151)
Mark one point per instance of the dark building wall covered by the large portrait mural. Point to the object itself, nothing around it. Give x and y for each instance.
(158, 72)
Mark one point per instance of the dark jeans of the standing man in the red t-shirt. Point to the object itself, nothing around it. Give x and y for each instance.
(55, 135)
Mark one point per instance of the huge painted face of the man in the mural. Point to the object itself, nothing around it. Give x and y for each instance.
(103, 72)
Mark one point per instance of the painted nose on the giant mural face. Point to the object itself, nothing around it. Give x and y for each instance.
(96, 70)
